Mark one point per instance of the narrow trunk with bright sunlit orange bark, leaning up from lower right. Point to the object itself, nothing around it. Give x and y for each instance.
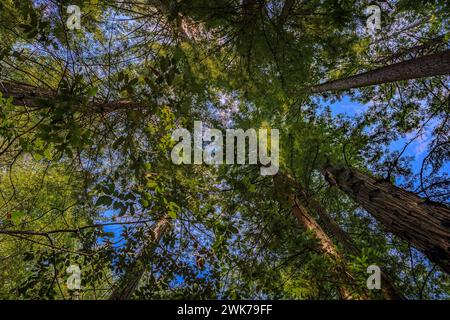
(307, 222)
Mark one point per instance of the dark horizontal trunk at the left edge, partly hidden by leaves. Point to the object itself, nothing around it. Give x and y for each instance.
(34, 97)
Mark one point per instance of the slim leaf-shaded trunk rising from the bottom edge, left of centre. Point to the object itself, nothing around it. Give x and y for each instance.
(129, 282)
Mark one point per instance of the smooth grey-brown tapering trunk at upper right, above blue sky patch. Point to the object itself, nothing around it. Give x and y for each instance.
(426, 66)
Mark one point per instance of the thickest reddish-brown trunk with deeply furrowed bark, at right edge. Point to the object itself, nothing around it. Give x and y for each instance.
(426, 225)
